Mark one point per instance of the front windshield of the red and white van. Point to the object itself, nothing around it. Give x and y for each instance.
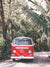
(23, 42)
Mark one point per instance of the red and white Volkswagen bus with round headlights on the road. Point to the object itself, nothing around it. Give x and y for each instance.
(22, 48)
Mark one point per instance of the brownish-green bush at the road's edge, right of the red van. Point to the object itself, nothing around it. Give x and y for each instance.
(41, 46)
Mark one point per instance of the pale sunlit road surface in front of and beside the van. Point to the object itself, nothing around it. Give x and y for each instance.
(41, 60)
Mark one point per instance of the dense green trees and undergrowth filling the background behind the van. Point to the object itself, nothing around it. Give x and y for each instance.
(17, 19)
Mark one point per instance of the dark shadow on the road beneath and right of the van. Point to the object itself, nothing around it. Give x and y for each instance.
(35, 60)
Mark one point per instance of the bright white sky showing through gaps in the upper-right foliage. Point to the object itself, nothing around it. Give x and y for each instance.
(42, 2)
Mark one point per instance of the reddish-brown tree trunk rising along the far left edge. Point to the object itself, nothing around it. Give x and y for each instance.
(2, 19)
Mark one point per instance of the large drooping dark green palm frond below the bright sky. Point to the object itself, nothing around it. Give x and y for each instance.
(39, 21)
